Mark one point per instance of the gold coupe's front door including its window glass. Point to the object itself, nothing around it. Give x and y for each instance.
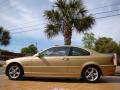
(52, 63)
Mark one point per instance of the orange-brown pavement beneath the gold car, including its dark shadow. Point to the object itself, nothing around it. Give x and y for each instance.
(108, 83)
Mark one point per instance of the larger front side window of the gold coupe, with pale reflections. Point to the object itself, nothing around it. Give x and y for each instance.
(56, 51)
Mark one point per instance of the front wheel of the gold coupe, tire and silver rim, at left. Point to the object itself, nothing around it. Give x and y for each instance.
(15, 72)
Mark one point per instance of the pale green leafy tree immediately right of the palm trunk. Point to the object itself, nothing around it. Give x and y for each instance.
(89, 40)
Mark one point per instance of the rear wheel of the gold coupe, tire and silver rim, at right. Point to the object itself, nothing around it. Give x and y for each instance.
(91, 74)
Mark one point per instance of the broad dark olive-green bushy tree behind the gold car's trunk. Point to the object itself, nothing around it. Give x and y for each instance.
(106, 45)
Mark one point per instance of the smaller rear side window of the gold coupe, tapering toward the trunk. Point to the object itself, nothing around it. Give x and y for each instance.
(78, 52)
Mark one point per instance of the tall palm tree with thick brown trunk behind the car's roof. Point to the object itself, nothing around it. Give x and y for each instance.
(66, 16)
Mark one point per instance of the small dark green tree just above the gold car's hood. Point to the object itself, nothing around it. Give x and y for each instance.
(30, 50)
